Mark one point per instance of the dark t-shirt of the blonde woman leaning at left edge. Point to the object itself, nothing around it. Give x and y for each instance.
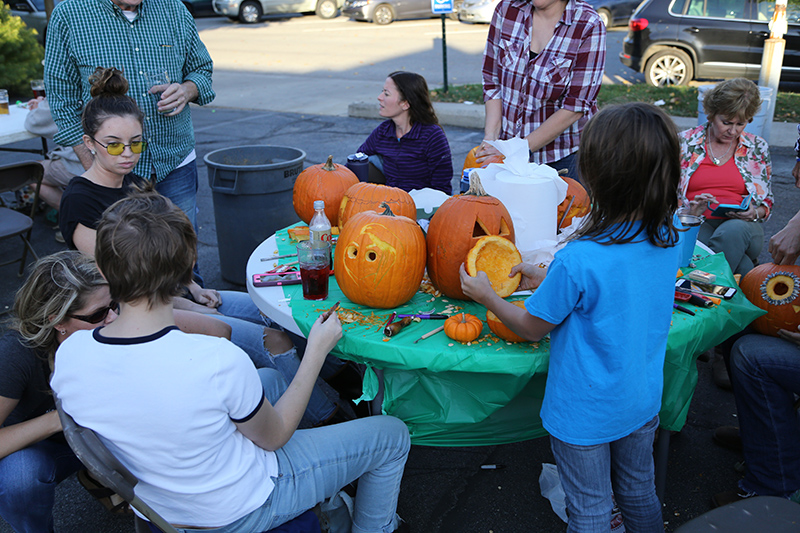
(24, 376)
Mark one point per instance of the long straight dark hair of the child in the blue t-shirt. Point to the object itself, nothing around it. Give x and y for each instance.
(630, 163)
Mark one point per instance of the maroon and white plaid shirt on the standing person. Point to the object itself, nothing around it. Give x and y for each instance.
(567, 74)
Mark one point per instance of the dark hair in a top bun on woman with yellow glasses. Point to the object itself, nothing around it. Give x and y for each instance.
(109, 99)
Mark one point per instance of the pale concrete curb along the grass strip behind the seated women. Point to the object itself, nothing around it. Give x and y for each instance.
(472, 116)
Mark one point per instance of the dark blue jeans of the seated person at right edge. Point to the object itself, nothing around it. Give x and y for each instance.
(765, 374)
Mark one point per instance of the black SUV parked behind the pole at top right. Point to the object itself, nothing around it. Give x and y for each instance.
(675, 41)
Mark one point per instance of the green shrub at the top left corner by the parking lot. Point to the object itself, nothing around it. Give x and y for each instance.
(20, 54)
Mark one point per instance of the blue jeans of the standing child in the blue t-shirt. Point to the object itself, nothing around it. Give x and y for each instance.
(589, 474)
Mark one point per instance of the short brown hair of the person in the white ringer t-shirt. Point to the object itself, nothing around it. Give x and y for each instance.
(146, 248)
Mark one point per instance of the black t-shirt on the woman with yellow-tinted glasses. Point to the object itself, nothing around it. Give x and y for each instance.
(83, 202)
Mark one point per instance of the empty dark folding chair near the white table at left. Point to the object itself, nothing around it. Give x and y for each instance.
(12, 223)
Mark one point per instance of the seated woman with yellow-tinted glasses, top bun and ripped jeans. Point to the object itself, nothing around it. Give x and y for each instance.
(113, 132)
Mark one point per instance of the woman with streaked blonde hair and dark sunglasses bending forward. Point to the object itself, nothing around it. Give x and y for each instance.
(64, 293)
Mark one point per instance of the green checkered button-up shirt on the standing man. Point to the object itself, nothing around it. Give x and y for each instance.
(86, 34)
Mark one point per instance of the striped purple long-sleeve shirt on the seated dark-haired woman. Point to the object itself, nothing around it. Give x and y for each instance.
(420, 158)
